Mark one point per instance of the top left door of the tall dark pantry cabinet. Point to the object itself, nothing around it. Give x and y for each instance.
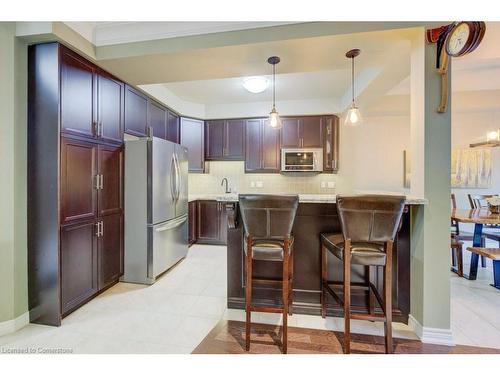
(77, 95)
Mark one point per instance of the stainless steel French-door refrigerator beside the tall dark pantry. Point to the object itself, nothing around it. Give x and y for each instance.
(156, 208)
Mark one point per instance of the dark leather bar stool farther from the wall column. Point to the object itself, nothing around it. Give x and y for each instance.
(268, 222)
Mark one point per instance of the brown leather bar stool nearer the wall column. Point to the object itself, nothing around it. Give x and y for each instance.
(369, 226)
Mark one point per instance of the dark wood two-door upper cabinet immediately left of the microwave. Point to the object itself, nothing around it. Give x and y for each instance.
(262, 147)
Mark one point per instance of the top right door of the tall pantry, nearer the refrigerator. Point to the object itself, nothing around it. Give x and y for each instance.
(110, 96)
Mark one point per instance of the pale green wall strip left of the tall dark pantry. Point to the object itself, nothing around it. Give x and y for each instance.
(13, 241)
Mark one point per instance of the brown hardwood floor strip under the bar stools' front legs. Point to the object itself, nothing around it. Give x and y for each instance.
(228, 337)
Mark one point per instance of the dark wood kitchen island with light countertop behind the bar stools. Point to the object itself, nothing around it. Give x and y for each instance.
(316, 214)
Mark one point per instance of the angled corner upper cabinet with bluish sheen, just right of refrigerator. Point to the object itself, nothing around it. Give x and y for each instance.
(192, 137)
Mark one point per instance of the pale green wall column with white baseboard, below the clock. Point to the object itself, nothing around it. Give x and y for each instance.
(431, 159)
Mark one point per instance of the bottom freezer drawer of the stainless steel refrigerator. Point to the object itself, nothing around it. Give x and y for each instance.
(167, 244)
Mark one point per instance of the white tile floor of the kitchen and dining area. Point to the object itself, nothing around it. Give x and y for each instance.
(176, 313)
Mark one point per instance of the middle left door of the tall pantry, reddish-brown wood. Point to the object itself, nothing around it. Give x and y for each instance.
(78, 180)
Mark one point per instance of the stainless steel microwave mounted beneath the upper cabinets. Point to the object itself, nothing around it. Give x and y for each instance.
(302, 160)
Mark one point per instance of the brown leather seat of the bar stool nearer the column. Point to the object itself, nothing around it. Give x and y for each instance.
(364, 253)
